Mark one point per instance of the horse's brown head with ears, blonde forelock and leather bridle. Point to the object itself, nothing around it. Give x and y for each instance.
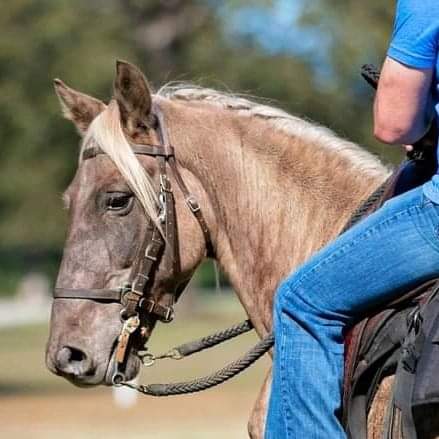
(117, 204)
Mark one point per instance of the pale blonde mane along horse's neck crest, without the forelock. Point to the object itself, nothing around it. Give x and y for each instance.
(311, 132)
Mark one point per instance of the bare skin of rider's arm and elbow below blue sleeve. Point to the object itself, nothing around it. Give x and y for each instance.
(403, 109)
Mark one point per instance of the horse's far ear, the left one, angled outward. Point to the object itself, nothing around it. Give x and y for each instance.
(80, 108)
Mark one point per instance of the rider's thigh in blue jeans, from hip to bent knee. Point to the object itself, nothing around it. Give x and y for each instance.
(376, 261)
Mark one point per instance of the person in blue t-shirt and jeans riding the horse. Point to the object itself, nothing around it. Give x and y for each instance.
(392, 250)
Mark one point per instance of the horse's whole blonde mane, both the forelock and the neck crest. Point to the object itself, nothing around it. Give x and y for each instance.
(106, 131)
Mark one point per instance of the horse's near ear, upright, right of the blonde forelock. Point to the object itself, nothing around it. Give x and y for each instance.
(132, 93)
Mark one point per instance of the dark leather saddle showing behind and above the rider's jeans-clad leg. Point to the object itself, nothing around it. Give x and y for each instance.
(401, 339)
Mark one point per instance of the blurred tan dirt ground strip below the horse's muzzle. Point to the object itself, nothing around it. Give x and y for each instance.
(90, 415)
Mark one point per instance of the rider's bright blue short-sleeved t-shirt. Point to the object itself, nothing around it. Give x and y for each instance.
(415, 43)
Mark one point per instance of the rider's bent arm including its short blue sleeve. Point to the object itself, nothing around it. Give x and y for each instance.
(403, 106)
